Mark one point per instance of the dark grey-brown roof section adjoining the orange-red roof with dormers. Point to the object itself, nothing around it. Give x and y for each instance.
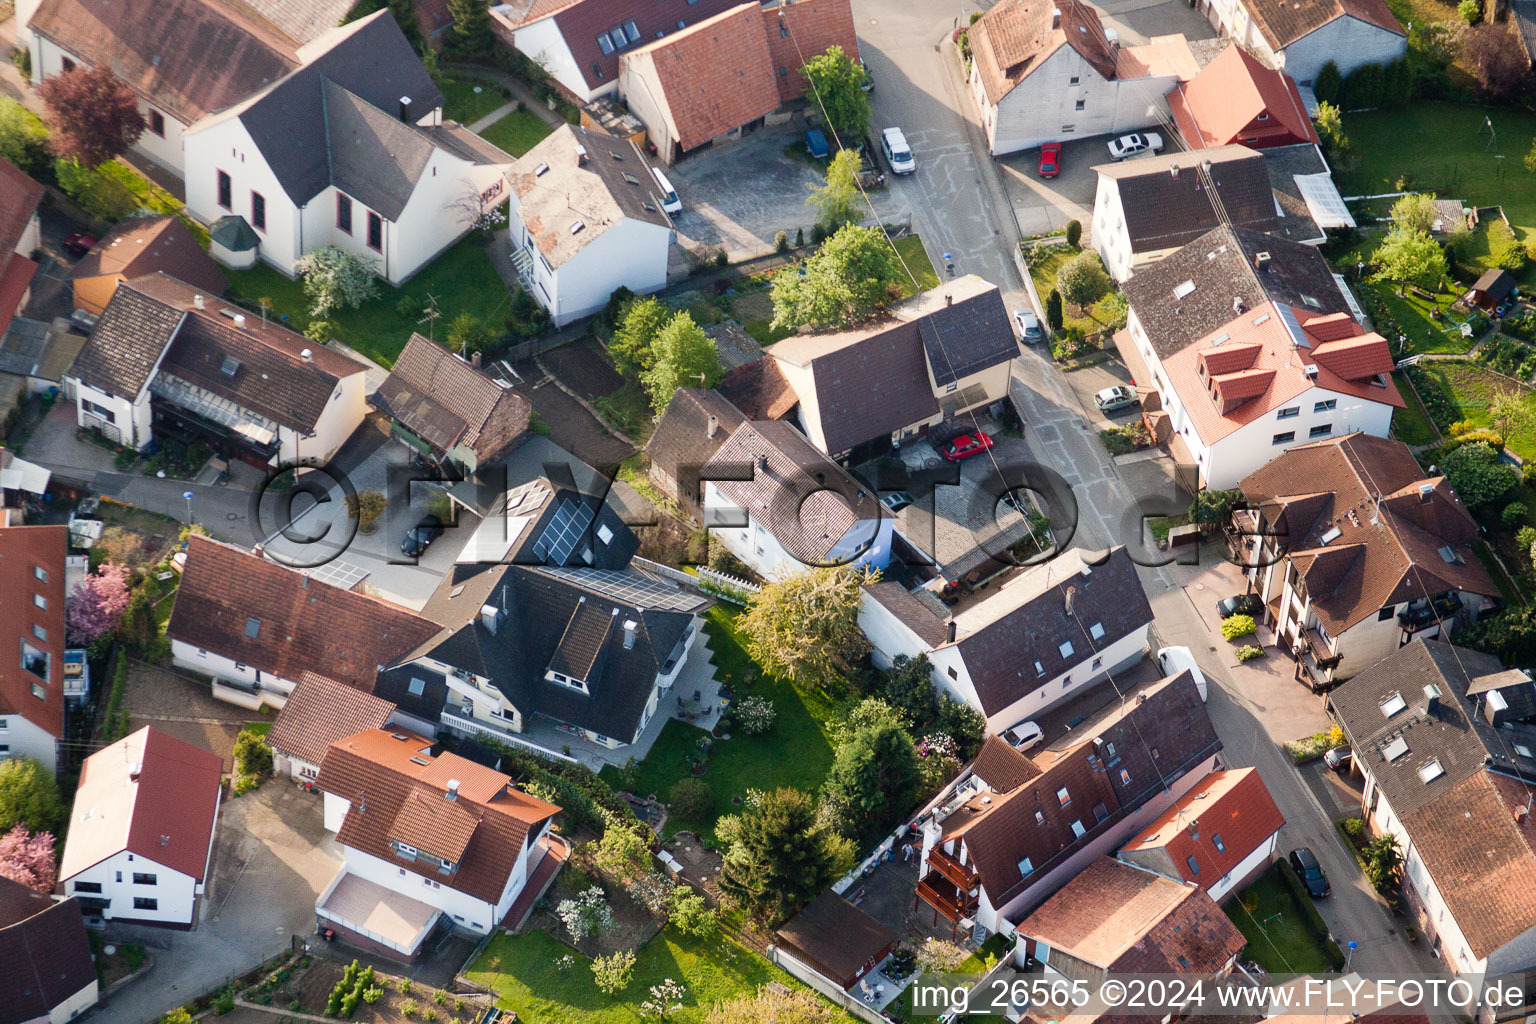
(1222, 268)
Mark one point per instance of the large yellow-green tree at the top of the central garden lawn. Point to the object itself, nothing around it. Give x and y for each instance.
(806, 627)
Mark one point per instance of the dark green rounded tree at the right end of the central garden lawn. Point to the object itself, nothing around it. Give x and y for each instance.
(873, 779)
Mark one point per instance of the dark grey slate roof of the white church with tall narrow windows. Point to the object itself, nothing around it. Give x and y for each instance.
(313, 133)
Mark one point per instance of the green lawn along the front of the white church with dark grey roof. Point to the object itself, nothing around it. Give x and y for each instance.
(462, 280)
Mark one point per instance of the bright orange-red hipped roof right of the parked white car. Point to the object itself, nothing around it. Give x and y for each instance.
(1225, 102)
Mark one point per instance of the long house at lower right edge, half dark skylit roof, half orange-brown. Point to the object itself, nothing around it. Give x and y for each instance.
(1443, 738)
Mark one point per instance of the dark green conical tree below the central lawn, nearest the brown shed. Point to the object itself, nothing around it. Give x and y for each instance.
(776, 856)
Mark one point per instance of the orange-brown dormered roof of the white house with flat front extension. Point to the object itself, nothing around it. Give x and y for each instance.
(400, 793)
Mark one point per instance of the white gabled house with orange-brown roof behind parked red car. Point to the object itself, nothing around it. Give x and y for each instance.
(1051, 71)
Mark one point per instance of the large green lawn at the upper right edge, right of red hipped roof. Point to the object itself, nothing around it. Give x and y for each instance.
(1437, 147)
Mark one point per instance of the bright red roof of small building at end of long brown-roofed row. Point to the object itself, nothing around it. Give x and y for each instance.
(1233, 807)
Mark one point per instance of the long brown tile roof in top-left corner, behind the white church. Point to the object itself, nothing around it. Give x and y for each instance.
(188, 58)
